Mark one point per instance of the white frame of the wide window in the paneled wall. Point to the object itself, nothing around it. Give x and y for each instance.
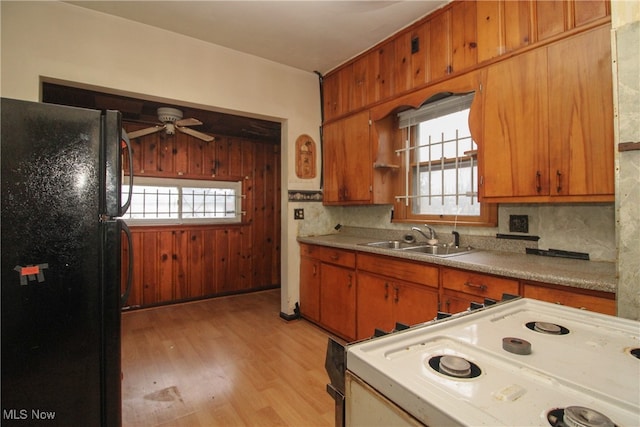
(188, 183)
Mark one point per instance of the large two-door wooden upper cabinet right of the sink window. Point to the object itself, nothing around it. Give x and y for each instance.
(548, 124)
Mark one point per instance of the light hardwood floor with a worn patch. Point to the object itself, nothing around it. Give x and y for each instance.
(228, 361)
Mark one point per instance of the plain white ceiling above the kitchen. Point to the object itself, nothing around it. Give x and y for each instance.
(312, 35)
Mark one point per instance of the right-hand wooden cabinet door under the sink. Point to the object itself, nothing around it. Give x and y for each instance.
(414, 303)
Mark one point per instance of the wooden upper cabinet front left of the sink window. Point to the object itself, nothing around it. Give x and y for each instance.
(347, 161)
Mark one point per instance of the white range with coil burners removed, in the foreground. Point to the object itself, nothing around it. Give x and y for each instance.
(517, 363)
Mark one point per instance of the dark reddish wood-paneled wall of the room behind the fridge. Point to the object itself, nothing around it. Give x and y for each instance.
(182, 262)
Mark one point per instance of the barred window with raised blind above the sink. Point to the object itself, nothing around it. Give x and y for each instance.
(440, 157)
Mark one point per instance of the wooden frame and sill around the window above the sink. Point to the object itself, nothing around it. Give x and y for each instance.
(403, 212)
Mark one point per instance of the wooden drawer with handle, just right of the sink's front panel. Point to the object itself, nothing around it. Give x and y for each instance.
(478, 284)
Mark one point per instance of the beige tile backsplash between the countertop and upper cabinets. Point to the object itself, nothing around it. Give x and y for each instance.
(586, 228)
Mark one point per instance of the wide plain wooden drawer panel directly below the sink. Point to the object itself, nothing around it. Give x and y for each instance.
(415, 272)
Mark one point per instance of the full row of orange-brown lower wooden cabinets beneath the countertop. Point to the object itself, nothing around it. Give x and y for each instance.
(352, 293)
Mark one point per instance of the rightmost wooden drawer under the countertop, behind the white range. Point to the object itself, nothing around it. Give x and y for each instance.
(602, 304)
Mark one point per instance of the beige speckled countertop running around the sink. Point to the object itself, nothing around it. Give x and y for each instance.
(594, 275)
